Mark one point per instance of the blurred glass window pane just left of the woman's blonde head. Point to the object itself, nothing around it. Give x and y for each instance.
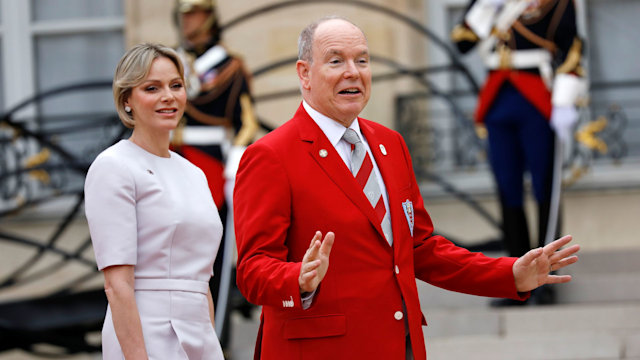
(76, 41)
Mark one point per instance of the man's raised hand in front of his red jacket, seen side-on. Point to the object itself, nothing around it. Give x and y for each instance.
(315, 262)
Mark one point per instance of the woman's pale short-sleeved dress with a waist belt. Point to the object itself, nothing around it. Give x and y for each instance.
(157, 214)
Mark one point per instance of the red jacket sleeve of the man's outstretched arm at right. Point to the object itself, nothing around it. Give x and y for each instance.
(439, 262)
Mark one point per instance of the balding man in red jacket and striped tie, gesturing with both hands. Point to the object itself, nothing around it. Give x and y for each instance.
(332, 231)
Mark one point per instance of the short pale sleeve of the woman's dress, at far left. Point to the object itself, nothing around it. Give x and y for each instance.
(110, 207)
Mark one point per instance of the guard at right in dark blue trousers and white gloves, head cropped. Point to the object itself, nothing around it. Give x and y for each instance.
(533, 54)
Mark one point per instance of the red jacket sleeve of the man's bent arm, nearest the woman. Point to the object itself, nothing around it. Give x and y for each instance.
(262, 216)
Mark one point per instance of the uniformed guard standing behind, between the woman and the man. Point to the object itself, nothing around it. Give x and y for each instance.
(219, 123)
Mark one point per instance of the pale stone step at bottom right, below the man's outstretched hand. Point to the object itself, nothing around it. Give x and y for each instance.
(567, 332)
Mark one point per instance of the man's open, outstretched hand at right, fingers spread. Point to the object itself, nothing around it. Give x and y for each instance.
(534, 268)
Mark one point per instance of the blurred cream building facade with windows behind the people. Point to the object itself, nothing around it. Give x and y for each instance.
(47, 44)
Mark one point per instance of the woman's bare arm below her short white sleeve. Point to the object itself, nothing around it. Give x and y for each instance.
(119, 287)
